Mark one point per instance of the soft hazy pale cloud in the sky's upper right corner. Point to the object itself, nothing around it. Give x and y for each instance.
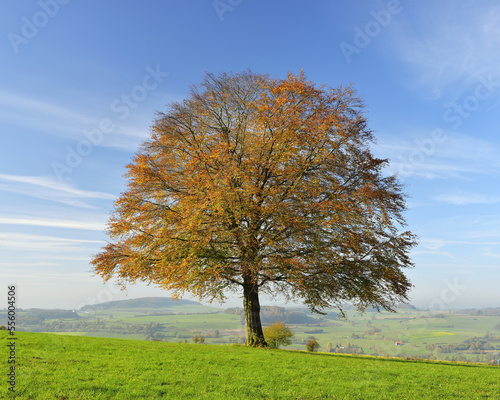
(449, 42)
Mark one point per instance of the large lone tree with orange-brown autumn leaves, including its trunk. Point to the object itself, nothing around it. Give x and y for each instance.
(262, 185)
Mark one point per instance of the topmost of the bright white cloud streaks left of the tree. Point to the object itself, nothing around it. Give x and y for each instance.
(48, 188)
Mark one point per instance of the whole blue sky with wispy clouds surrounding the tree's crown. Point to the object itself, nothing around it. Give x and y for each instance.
(80, 82)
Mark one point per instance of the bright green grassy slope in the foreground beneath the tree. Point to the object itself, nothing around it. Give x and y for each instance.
(67, 367)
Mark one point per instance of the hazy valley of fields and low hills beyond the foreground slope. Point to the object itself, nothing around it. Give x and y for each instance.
(455, 335)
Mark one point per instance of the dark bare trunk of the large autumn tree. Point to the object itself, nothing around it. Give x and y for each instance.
(253, 326)
